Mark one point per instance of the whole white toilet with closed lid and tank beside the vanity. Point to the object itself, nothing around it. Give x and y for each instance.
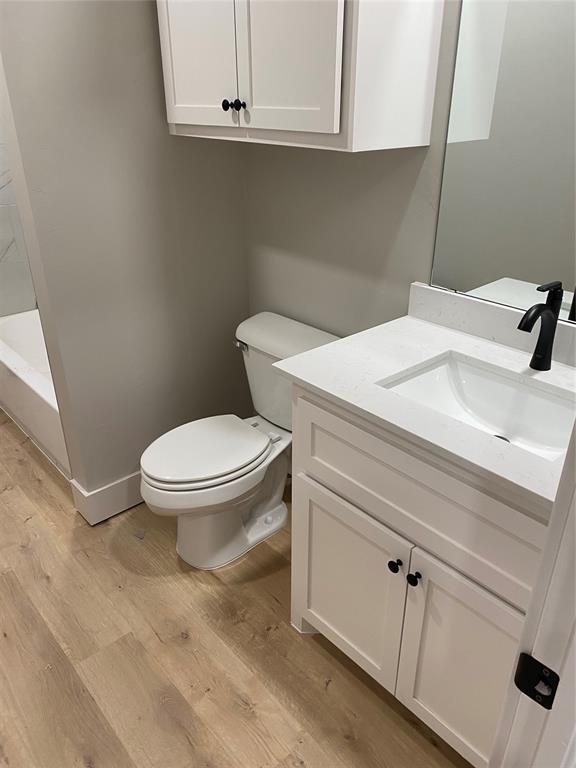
(224, 477)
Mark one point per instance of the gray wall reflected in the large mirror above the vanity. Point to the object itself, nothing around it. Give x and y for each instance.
(508, 202)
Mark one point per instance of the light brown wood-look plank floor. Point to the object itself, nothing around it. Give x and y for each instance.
(115, 654)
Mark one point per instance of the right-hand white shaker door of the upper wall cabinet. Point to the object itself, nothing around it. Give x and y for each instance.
(290, 63)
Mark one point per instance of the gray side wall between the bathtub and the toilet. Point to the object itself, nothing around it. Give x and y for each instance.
(143, 277)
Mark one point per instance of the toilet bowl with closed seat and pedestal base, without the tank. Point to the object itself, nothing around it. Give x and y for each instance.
(221, 517)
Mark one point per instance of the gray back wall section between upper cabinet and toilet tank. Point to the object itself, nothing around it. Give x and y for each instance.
(334, 239)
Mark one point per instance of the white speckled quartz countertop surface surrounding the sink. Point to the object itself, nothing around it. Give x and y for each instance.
(347, 371)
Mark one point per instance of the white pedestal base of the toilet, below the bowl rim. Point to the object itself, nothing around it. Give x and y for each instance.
(220, 536)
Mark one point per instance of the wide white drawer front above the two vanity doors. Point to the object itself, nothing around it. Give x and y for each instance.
(494, 544)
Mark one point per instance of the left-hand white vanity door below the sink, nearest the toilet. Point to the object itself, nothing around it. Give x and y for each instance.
(342, 583)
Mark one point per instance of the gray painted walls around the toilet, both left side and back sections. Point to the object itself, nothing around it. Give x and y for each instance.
(149, 246)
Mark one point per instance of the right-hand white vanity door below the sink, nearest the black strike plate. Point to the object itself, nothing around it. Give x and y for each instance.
(459, 644)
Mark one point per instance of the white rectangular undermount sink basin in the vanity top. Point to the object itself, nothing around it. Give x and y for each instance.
(511, 407)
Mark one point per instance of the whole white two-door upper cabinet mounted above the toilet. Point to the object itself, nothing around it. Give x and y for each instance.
(348, 75)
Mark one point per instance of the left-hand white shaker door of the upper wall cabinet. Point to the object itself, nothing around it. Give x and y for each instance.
(199, 55)
